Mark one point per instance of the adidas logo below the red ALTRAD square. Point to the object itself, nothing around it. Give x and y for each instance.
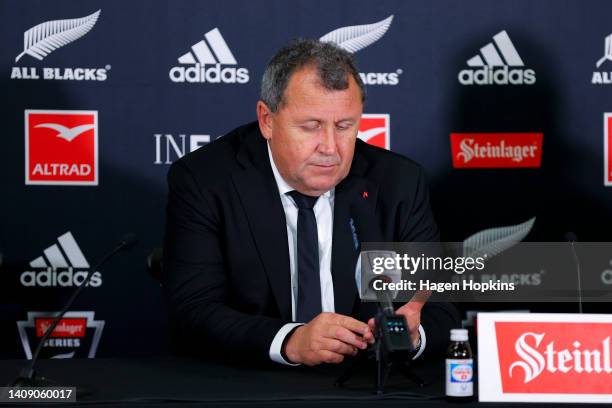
(62, 264)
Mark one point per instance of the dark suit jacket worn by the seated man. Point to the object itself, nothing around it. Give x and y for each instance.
(226, 272)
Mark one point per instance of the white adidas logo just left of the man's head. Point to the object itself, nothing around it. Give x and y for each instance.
(206, 58)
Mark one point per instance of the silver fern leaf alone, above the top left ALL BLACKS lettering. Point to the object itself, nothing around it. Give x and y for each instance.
(44, 38)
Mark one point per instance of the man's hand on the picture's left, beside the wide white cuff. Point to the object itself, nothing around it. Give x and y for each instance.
(327, 338)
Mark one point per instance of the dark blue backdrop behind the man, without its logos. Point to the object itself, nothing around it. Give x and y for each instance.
(427, 44)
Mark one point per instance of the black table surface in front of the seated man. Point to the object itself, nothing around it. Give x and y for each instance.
(172, 381)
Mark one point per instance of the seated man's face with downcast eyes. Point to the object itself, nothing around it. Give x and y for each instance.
(312, 134)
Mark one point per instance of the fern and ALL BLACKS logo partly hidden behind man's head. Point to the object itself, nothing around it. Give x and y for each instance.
(357, 37)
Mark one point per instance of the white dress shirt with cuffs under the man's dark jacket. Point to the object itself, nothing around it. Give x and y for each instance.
(324, 214)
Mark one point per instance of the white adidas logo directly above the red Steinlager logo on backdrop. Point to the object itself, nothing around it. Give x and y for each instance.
(492, 65)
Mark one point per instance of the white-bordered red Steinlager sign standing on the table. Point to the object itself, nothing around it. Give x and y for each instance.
(545, 357)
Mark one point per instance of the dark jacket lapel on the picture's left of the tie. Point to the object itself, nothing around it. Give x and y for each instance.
(261, 202)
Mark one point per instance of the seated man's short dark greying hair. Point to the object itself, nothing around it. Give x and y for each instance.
(334, 66)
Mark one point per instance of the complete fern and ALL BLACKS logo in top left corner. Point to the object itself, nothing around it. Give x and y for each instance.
(45, 38)
